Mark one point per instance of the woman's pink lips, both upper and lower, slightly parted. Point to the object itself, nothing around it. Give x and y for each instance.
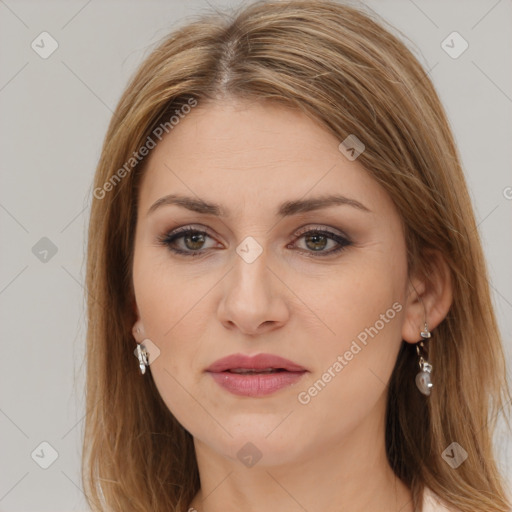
(255, 376)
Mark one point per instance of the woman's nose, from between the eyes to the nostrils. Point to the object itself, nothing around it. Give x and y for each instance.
(254, 297)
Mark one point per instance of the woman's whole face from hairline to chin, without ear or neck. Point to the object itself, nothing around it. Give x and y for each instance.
(263, 275)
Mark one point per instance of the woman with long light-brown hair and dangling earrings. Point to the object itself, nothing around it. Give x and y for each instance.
(282, 235)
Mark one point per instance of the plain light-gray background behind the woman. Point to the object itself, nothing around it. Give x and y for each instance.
(54, 115)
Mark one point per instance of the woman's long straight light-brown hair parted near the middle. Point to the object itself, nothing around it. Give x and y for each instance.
(342, 68)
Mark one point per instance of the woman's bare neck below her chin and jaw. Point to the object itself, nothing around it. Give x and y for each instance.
(351, 474)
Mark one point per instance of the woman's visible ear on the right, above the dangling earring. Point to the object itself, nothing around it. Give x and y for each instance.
(429, 297)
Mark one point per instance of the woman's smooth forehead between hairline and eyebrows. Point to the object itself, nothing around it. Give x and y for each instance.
(244, 155)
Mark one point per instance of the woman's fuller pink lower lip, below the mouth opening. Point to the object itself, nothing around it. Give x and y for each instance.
(255, 385)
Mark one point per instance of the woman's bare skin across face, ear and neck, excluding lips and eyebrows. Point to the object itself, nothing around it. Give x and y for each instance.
(328, 454)
